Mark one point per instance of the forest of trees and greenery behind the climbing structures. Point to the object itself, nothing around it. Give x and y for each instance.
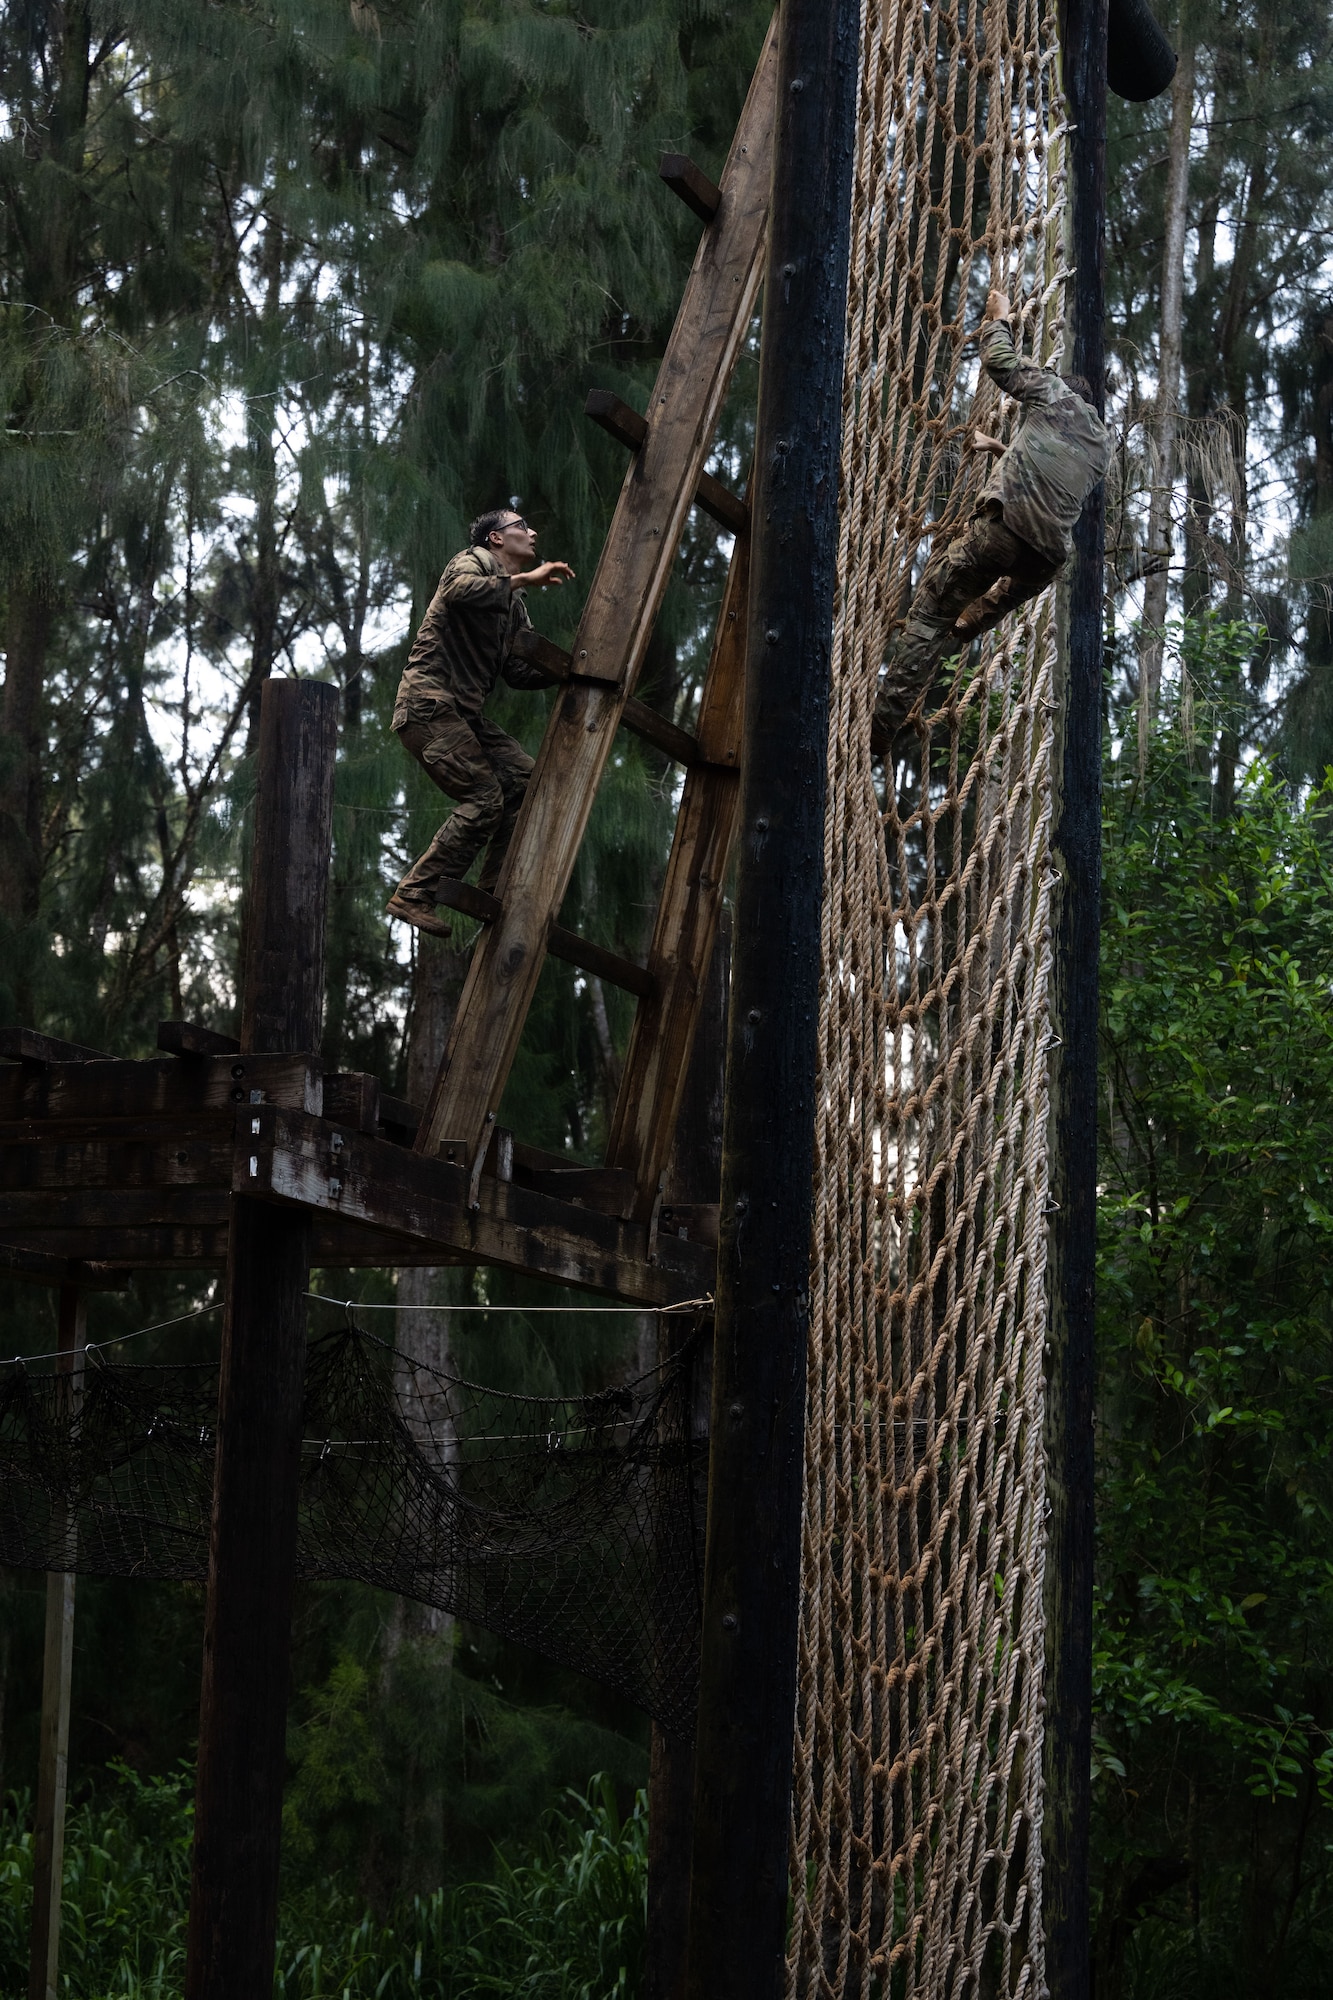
(289, 291)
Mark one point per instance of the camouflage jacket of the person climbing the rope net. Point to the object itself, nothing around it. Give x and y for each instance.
(1058, 455)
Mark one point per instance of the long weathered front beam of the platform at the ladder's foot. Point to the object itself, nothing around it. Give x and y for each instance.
(391, 1189)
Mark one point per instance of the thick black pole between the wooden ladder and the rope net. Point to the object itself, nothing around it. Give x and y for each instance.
(756, 1479)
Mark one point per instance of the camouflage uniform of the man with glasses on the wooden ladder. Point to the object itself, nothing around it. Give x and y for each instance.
(465, 645)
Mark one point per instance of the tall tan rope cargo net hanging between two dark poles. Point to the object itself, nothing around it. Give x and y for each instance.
(916, 1863)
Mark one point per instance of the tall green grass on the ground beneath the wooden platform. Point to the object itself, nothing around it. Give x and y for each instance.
(563, 1923)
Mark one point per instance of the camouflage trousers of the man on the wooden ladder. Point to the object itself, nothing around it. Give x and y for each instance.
(487, 773)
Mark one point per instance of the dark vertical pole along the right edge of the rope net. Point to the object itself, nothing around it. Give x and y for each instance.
(1074, 1107)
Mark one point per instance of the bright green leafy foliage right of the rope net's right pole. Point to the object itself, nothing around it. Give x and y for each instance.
(1216, 1585)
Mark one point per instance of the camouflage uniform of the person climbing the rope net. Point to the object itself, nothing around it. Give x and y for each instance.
(1020, 529)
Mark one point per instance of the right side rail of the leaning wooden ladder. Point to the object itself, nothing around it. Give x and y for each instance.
(688, 915)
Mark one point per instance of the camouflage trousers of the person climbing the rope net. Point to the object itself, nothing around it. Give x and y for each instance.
(962, 571)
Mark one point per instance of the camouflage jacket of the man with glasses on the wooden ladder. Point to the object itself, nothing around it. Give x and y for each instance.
(465, 643)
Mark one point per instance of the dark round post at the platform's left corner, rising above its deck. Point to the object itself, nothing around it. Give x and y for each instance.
(253, 1555)
